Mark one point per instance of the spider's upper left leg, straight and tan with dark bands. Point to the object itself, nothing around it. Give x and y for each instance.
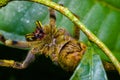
(13, 43)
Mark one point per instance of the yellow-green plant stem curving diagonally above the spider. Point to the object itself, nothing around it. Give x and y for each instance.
(89, 34)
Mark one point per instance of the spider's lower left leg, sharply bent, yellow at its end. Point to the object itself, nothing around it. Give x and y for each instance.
(19, 65)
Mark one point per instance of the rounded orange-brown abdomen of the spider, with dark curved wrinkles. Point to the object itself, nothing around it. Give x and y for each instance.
(70, 55)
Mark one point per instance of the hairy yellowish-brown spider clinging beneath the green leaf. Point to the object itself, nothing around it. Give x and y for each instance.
(55, 43)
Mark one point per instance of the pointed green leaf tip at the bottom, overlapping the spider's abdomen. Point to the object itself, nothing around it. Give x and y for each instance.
(90, 68)
